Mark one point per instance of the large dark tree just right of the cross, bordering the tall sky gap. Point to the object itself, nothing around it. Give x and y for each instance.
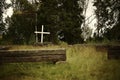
(62, 16)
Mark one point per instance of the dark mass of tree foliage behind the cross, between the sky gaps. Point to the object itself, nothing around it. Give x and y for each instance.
(62, 18)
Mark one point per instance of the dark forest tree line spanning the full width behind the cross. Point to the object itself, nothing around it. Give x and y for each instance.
(62, 18)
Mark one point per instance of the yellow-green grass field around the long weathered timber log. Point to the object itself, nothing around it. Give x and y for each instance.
(83, 63)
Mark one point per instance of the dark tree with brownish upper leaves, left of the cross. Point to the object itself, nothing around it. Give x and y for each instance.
(22, 22)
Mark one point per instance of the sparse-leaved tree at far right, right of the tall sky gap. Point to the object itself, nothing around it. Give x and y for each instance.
(108, 14)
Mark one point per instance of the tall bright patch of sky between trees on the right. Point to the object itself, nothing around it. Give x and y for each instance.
(90, 17)
